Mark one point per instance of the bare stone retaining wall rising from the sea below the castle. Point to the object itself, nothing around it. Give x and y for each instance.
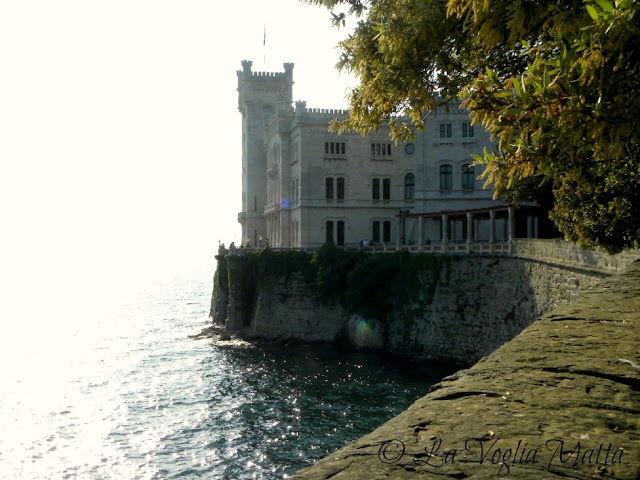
(474, 305)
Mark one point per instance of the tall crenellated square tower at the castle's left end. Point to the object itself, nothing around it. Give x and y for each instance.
(258, 96)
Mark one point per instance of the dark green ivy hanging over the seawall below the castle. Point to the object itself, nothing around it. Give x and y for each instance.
(371, 285)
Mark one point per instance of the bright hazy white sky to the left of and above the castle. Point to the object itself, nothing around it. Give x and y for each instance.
(120, 134)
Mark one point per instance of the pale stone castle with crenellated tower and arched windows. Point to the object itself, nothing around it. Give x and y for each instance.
(303, 185)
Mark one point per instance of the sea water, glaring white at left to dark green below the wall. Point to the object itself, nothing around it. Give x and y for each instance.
(126, 394)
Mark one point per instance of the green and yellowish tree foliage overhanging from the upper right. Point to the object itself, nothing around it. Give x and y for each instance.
(555, 83)
